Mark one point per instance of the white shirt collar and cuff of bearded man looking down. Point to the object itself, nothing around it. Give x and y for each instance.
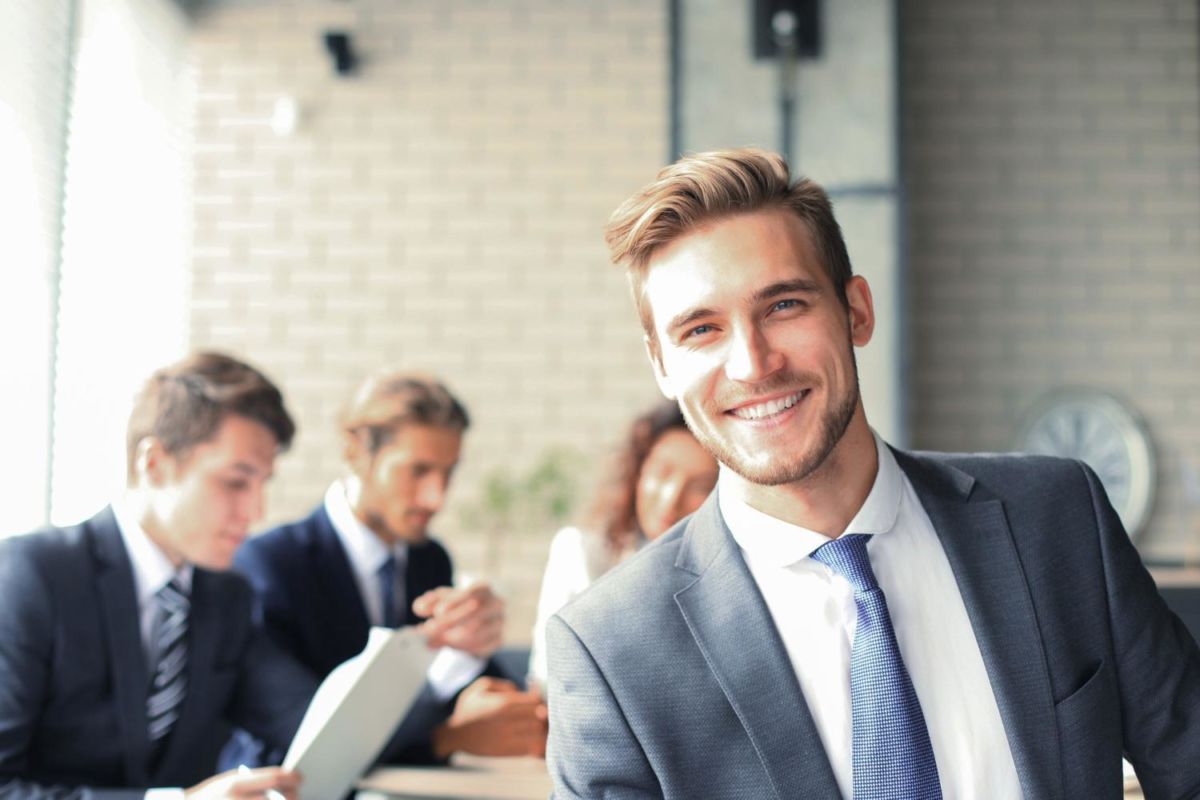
(452, 670)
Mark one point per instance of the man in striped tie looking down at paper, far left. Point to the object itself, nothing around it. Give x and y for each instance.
(127, 648)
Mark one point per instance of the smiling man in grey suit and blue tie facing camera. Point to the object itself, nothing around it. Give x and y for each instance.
(842, 618)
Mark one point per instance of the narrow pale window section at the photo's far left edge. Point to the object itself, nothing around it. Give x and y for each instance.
(35, 44)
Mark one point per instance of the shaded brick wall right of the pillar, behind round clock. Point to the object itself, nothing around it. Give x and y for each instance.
(1053, 167)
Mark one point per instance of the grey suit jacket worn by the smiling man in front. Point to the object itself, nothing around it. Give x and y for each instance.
(669, 678)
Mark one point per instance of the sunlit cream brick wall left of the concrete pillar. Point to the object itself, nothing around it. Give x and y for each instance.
(442, 209)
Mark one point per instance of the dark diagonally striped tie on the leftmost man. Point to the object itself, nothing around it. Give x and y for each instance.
(170, 684)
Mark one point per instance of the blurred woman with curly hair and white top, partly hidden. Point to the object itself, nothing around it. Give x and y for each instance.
(661, 476)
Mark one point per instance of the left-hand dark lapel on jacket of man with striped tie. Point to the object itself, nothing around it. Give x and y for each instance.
(127, 653)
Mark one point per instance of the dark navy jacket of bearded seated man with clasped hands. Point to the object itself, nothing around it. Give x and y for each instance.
(311, 607)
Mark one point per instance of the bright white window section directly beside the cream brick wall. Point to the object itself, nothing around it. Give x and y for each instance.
(125, 243)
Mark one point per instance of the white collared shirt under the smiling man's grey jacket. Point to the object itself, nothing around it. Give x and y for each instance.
(814, 611)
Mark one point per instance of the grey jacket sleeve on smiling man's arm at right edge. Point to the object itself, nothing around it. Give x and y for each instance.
(1159, 666)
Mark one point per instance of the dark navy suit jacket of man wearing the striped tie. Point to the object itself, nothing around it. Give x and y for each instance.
(74, 678)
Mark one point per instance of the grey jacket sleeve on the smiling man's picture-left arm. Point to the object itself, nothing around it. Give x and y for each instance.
(592, 750)
